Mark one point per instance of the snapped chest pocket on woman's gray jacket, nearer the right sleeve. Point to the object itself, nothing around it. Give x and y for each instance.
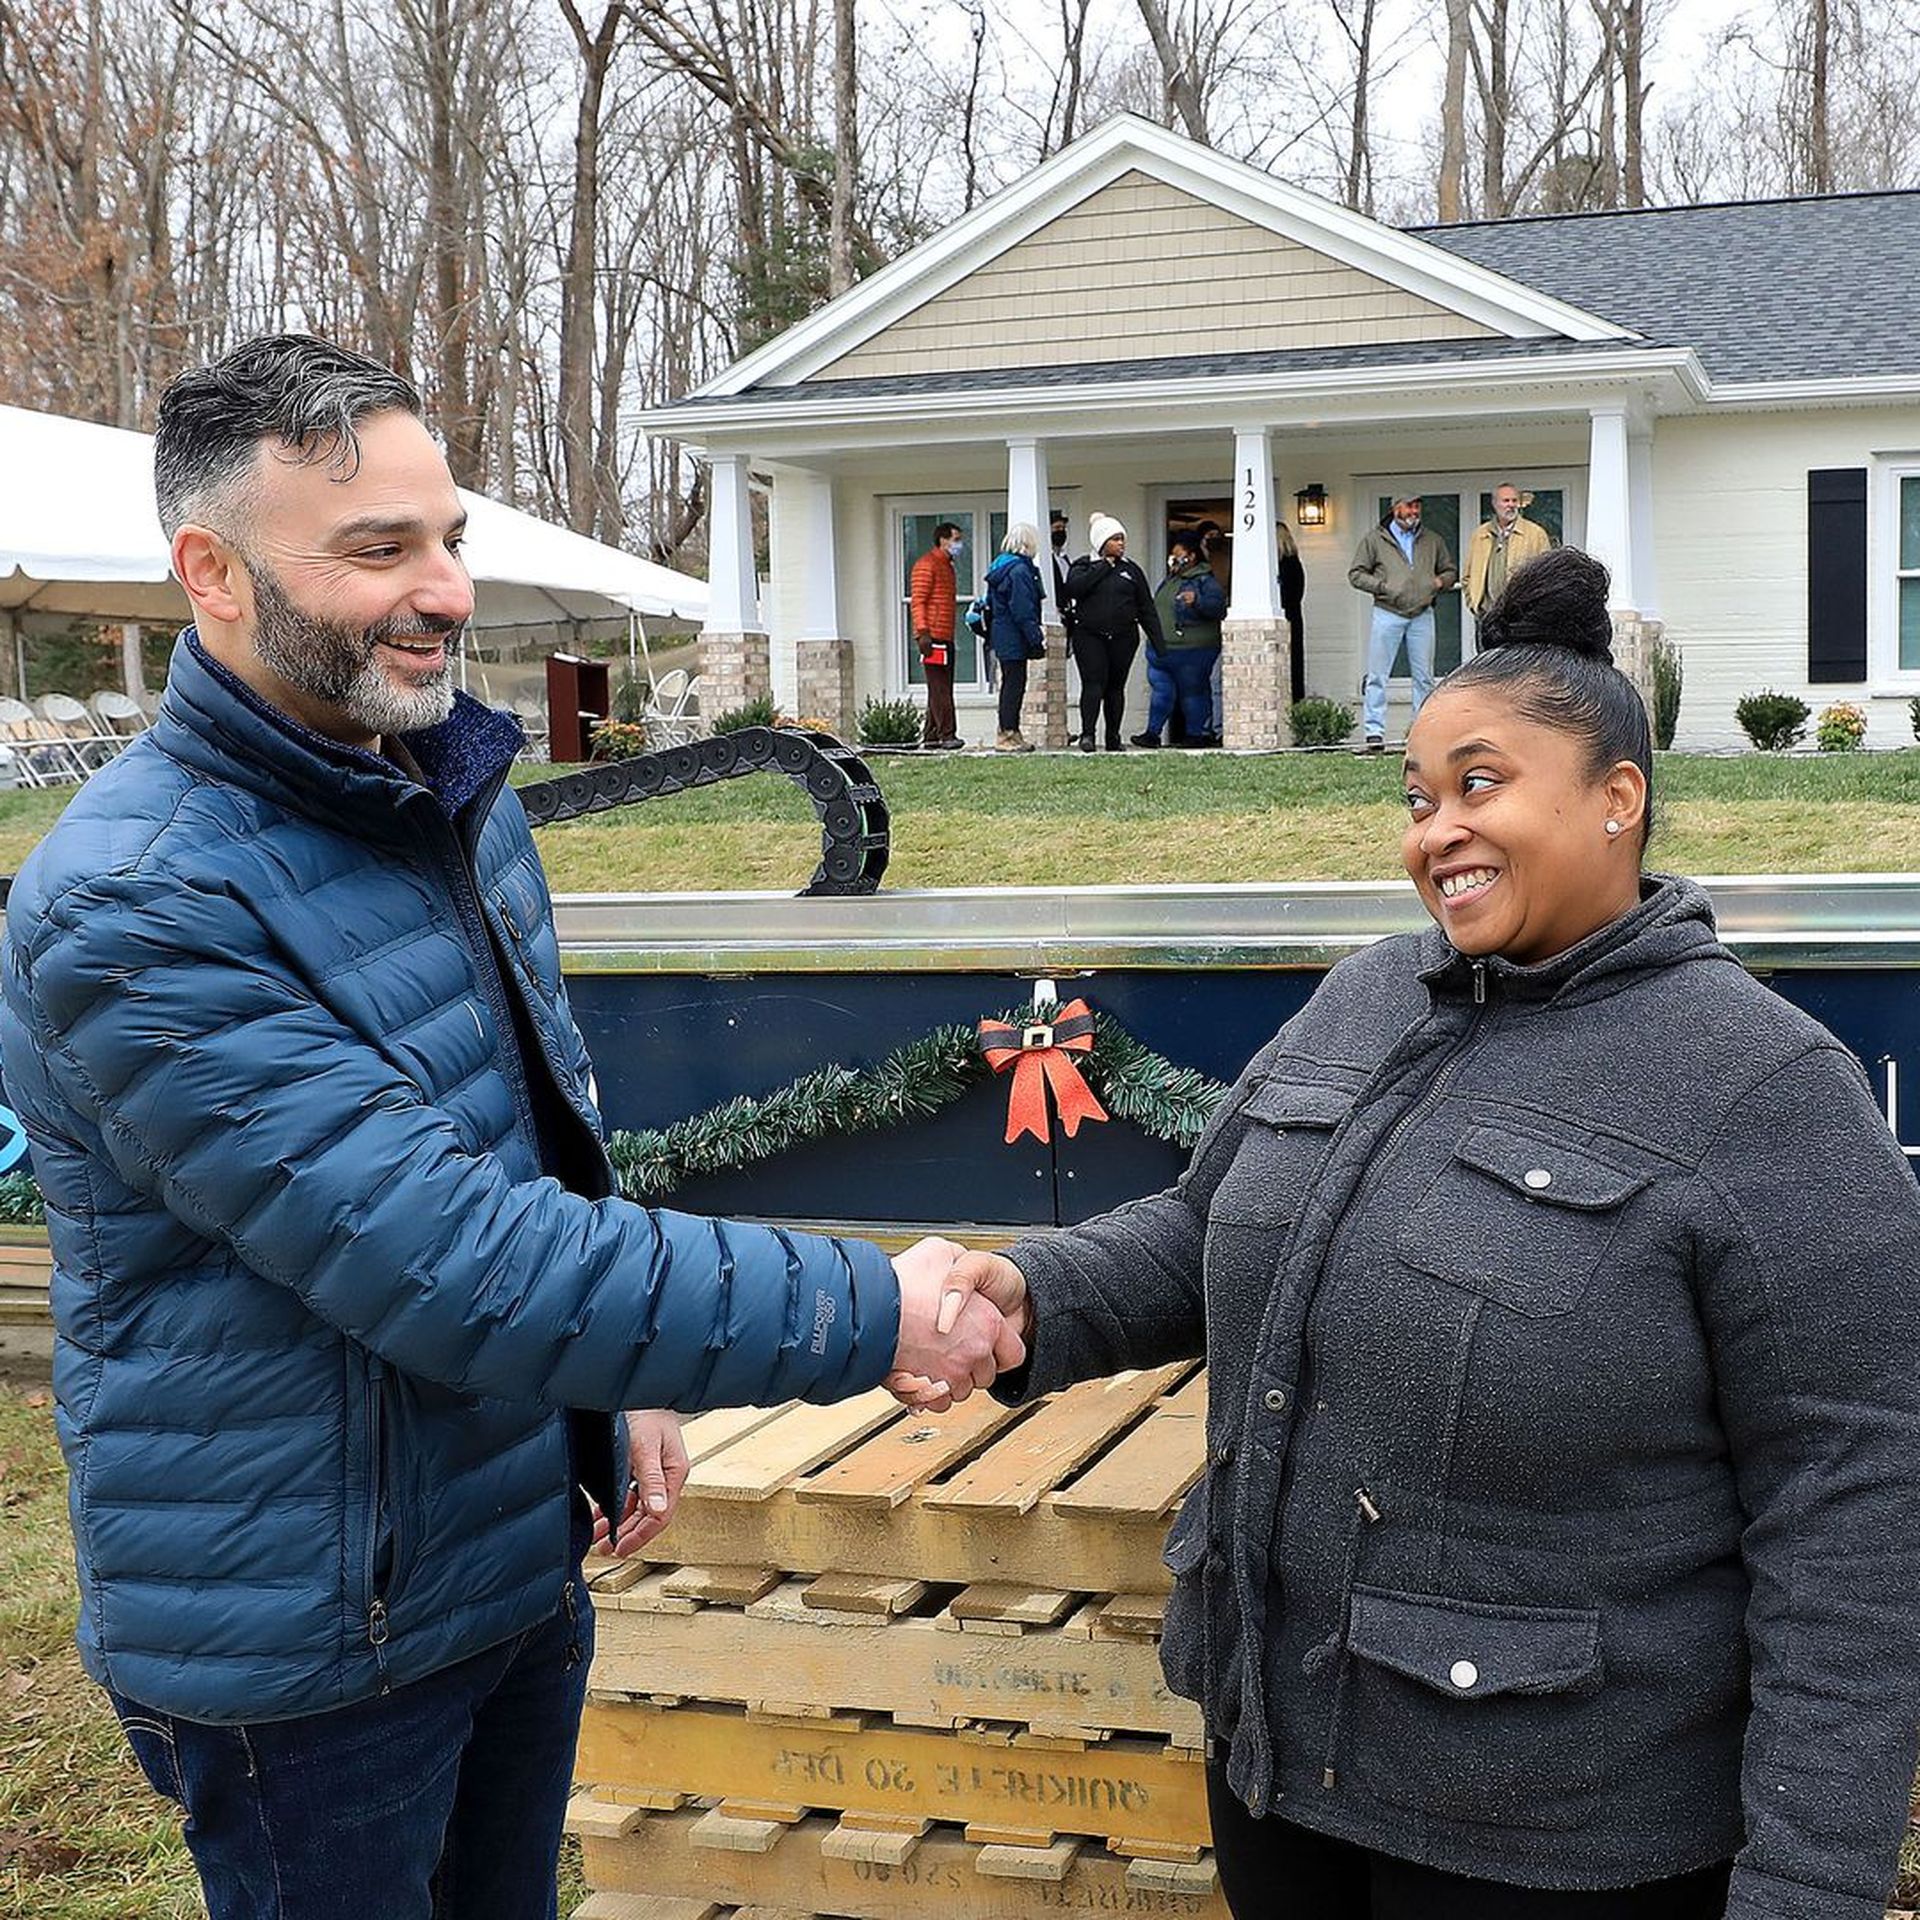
(1522, 1218)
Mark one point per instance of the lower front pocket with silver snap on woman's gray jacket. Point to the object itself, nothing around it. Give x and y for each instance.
(1476, 1712)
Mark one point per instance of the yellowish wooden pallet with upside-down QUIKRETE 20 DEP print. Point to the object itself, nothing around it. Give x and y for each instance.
(999, 1783)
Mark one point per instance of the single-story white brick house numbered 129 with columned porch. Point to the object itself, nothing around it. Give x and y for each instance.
(1721, 402)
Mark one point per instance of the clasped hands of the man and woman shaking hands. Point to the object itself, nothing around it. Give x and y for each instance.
(965, 1320)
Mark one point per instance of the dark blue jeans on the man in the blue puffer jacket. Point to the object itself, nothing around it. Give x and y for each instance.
(437, 1802)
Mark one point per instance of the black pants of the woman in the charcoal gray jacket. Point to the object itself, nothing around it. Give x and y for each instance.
(1274, 1871)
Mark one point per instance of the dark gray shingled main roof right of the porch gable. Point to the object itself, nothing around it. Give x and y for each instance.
(1764, 291)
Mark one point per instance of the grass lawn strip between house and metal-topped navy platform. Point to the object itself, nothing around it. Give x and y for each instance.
(1172, 817)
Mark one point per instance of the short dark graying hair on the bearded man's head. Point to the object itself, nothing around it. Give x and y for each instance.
(302, 393)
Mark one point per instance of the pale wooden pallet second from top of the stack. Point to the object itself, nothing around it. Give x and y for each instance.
(924, 1656)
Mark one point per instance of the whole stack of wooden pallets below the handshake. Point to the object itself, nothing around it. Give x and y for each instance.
(901, 1658)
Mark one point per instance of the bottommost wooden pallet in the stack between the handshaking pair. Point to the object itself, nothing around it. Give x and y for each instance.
(827, 1867)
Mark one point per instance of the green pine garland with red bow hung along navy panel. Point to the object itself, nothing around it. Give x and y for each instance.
(915, 1082)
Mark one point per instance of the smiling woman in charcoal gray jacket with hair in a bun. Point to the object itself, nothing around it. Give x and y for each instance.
(1560, 1537)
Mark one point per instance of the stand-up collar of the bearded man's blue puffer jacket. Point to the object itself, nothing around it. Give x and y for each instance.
(216, 725)
